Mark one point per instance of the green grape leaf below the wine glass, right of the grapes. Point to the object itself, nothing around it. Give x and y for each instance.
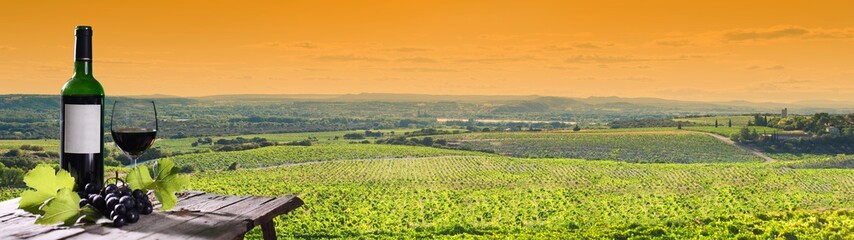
(166, 182)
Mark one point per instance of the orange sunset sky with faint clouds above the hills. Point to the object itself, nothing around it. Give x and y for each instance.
(718, 50)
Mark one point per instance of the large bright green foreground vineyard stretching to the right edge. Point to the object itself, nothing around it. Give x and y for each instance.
(500, 197)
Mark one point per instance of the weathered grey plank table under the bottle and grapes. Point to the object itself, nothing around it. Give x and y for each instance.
(197, 215)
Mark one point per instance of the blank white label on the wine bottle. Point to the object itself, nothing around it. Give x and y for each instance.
(82, 128)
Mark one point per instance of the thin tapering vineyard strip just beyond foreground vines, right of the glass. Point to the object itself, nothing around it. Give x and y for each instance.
(274, 156)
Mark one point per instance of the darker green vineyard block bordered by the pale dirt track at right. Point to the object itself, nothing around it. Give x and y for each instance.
(637, 147)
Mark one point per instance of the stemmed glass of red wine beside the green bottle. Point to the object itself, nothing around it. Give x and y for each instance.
(134, 126)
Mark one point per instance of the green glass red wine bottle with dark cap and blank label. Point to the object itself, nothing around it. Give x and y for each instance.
(82, 117)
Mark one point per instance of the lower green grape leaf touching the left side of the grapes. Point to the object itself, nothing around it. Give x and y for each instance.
(63, 208)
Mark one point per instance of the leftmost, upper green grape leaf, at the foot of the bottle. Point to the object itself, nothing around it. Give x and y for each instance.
(45, 182)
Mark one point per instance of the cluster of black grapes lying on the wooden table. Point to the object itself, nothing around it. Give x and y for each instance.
(120, 204)
